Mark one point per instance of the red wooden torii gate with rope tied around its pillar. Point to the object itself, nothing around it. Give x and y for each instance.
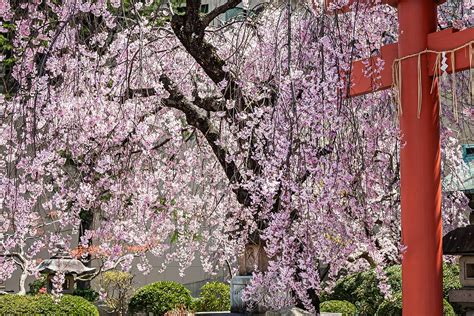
(417, 66)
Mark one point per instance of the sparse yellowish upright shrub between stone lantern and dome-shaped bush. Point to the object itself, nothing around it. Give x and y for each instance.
(117, 288)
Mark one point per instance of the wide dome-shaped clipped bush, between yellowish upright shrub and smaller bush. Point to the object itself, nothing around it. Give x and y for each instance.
(160, 297)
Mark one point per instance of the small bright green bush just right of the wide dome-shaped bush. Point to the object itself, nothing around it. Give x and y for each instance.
(215, 296)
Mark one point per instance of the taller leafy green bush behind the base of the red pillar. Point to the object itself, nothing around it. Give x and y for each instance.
(361, 289)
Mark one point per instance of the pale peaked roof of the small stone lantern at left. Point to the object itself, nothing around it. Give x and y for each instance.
(64, 262)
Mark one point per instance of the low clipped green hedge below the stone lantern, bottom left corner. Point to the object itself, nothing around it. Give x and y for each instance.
(44, 304)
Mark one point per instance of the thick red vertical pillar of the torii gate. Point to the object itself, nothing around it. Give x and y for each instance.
(420, 167)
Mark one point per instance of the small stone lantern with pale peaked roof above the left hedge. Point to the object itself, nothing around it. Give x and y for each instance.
(62, 261)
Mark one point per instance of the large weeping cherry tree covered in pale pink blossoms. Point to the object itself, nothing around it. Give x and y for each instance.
(149, 132)
